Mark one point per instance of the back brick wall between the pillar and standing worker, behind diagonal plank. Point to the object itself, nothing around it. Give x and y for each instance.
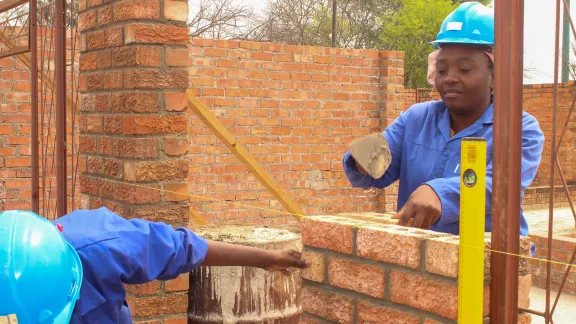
(295, 109)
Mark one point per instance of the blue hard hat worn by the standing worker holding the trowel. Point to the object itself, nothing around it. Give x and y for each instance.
(471, 23)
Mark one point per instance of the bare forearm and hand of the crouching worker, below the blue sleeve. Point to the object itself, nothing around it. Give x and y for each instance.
(225, 254)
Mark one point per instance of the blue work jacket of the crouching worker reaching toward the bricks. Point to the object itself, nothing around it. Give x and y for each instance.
(115, 251)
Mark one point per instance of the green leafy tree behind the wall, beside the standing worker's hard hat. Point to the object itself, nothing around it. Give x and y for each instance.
(410, 30)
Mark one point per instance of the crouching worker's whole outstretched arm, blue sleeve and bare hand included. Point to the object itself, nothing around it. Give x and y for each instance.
(157, 251)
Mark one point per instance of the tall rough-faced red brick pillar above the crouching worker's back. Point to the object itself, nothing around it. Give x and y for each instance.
(133, 77)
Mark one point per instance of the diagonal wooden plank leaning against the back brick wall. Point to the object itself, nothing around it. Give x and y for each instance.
(248, 160)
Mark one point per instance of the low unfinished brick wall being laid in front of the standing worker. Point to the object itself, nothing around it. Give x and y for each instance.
(368, 271)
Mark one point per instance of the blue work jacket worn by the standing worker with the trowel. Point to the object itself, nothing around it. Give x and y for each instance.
(424, 153)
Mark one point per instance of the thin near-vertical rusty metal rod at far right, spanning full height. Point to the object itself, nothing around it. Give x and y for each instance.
(553, 156)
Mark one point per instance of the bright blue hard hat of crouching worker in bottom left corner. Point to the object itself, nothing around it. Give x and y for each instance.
(40, 273)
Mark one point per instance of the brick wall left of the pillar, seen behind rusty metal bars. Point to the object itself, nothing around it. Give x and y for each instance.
(15, 131)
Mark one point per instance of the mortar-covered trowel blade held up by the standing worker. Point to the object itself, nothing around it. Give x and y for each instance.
(371, 154)
